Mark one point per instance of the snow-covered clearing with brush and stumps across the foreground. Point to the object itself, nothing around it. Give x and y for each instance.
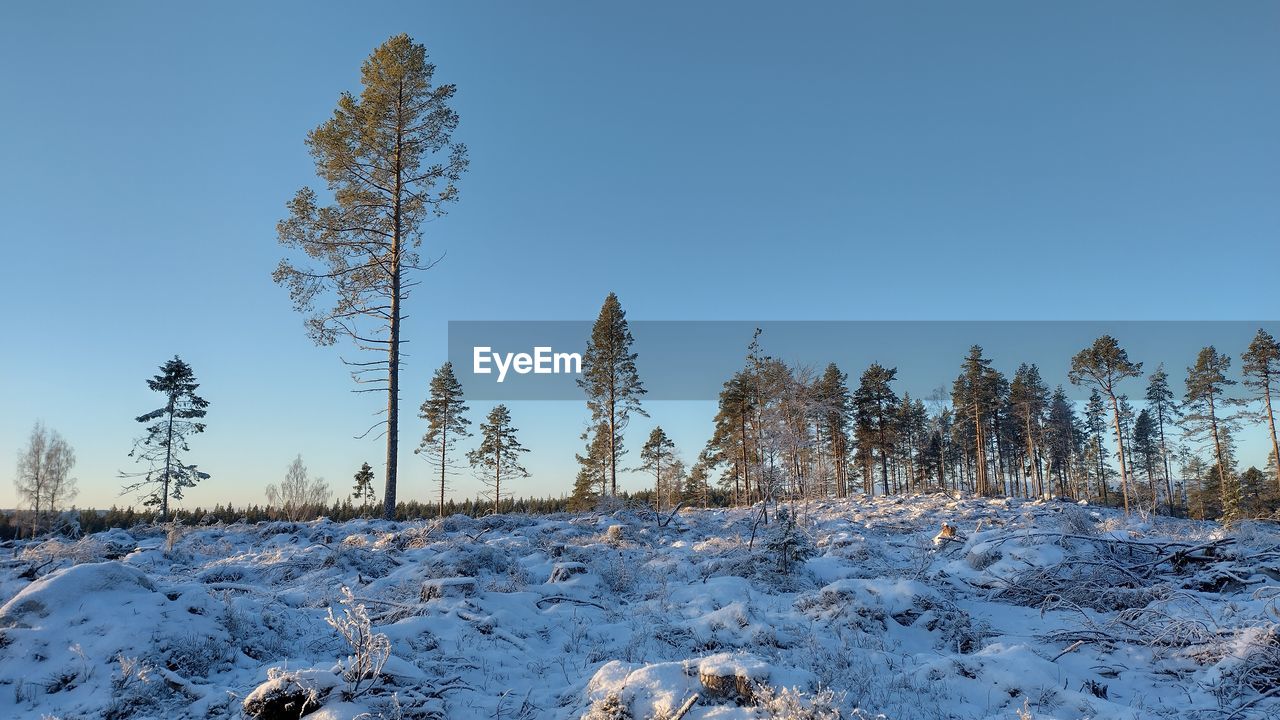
(1032, 610)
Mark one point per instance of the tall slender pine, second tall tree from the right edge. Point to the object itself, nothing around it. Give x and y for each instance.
(1206, 402)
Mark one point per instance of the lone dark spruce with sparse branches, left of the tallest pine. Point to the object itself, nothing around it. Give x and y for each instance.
(166, 440)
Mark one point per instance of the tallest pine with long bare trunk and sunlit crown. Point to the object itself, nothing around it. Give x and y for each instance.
(391, 163)
